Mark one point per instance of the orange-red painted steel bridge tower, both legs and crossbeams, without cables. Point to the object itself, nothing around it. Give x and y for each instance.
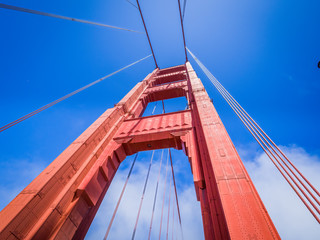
(63, 200)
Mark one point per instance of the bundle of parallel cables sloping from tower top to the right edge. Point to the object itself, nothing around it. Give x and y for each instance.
(262, 138)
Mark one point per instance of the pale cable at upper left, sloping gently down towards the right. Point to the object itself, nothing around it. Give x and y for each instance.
(26, 10)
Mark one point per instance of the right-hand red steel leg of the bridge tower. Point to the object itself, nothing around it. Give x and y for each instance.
(236, 209)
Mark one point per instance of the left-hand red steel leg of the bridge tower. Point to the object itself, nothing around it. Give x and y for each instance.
(62, 201)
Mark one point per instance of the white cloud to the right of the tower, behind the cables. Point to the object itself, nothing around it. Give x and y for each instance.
(291, 218)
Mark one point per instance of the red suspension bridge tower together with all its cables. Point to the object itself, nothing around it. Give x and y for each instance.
(63, 200)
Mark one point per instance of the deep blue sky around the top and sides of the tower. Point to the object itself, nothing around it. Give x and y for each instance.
(264, 52)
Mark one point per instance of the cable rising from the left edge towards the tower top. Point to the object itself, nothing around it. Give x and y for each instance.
(5, 127)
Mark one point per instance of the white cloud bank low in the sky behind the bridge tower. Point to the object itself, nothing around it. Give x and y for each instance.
(290, 216)
